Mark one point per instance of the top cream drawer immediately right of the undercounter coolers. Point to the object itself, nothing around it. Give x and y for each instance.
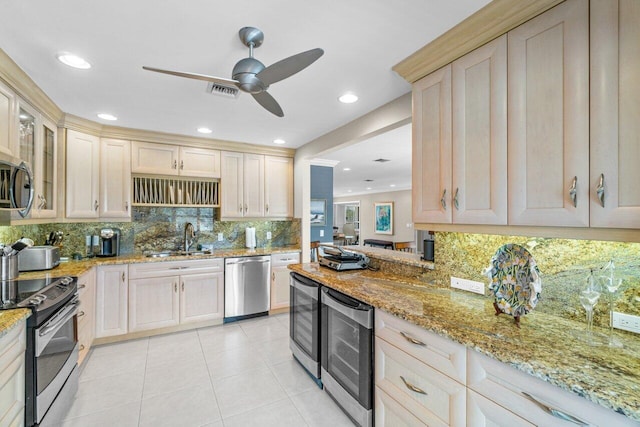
(440, 353)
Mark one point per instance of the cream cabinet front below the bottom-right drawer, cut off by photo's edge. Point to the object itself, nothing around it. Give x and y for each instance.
(482, 412)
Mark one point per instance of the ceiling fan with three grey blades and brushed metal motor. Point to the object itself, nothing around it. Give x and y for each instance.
(251, 76)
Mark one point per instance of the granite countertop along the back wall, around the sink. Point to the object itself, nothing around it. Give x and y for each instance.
(77, 268)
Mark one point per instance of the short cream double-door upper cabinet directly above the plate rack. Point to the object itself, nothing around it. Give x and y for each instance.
(165, 159)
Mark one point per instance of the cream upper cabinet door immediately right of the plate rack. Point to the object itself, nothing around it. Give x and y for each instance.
(232, 183)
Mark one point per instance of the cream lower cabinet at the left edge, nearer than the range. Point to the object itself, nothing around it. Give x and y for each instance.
(12, 376)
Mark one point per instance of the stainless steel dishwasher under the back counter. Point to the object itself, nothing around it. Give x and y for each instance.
(246, 287)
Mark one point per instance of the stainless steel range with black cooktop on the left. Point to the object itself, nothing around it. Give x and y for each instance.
(51, 374)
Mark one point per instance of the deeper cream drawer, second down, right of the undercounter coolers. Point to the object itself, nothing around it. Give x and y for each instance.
(431, 396)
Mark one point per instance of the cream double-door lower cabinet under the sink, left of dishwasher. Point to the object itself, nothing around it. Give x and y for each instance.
(171, 293)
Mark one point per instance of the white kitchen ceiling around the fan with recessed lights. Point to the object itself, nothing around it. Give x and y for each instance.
(362, 40)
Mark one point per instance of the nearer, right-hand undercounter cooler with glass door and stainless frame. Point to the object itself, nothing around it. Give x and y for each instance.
(347, 357)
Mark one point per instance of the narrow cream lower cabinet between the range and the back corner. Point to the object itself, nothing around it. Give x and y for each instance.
(86, 313)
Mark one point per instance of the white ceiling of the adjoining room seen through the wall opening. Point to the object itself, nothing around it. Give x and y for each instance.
(393, 175)
